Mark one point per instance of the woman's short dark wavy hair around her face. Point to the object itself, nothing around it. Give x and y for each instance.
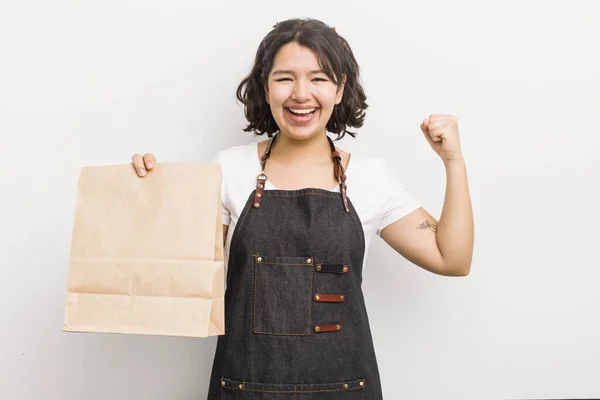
(336, 59)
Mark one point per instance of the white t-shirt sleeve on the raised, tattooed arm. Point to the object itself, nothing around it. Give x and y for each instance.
(396, 199)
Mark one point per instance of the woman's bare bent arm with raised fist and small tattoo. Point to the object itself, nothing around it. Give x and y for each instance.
(444, 247)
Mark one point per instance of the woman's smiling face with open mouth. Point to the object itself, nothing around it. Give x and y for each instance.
(300, 93)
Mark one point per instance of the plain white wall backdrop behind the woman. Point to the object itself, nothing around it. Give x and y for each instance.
(91, 83)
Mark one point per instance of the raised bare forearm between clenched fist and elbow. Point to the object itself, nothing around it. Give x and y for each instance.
(454, 232)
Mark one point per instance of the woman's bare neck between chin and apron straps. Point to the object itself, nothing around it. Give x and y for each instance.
(289, 149)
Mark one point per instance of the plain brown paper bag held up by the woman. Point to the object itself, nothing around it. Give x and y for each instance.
(147, 253)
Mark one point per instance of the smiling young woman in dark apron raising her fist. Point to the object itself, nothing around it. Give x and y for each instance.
(299, 216)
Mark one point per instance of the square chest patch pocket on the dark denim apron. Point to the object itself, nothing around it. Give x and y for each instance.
(282, 295)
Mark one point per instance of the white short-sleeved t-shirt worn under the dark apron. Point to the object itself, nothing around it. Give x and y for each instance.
(378, 195)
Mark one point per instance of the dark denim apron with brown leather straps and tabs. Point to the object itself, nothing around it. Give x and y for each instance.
(295, 318)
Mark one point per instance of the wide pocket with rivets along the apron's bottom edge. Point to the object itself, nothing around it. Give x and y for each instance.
(237, 390)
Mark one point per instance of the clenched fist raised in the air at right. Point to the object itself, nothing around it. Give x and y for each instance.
(441, 131)
